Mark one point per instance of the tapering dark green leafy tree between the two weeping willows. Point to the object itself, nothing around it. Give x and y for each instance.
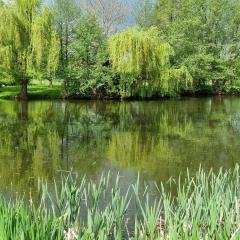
(89, 73)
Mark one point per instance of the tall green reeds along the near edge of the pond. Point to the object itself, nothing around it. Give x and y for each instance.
(204, 207)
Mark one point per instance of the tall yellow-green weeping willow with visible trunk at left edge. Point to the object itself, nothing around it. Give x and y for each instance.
(28, 44)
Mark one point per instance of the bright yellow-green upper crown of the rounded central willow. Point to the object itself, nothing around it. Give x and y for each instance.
(133, 50)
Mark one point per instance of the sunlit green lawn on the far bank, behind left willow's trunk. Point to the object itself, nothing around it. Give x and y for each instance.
(34, 91)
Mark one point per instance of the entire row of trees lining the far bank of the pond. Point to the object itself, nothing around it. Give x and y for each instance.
(175, 47)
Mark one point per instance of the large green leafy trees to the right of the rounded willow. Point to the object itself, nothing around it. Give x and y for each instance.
(205, 37)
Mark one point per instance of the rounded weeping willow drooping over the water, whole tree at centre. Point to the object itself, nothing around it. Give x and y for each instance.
(143, 62)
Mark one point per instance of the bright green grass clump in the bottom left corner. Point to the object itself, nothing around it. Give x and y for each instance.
(19, 221)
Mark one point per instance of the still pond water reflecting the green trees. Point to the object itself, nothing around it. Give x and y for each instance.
(158, 139)
